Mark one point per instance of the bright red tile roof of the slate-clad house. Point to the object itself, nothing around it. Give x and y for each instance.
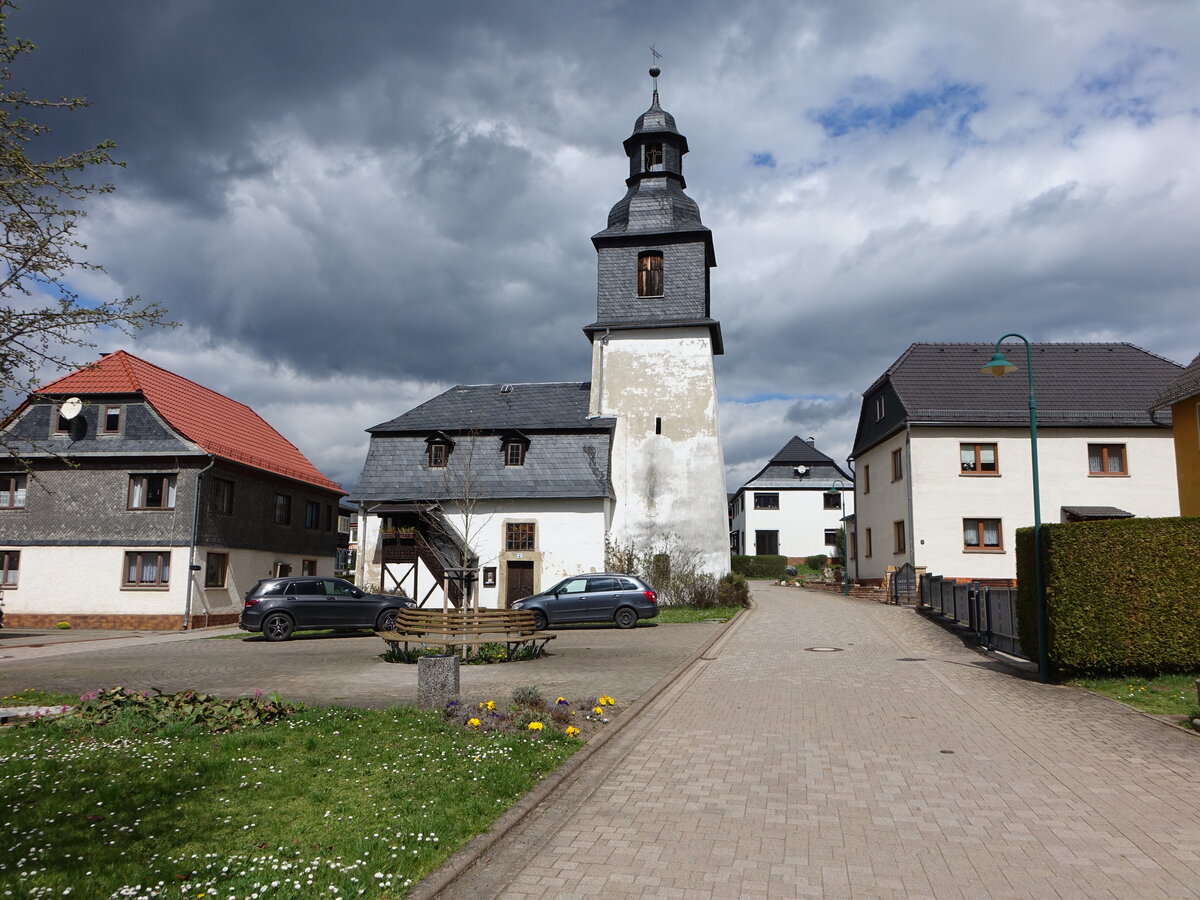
(219, 425)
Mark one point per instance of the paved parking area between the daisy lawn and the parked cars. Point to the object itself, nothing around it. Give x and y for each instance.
(340, 669)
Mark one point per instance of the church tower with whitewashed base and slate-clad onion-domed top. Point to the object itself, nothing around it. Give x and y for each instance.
(653, 345)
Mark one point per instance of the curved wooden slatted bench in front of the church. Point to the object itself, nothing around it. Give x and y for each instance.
(466, 628)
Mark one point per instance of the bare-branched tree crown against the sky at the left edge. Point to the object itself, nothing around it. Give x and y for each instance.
(43, 317)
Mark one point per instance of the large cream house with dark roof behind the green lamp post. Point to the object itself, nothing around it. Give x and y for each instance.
(943, 464)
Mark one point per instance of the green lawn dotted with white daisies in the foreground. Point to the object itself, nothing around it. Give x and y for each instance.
(328, 803)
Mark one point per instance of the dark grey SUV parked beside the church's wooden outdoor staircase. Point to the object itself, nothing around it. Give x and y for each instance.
(280, 607)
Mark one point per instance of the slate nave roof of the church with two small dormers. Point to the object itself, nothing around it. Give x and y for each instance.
(568, 454)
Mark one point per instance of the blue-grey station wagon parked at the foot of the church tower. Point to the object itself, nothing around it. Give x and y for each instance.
(596, 597)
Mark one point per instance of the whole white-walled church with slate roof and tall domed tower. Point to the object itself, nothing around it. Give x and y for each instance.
(527, 484)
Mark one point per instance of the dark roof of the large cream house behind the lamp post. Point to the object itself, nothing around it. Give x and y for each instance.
(1076, 385)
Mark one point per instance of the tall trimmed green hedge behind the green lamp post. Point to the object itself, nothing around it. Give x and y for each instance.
(1123, 596)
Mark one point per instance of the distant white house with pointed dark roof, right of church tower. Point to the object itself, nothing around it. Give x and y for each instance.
(794, 507)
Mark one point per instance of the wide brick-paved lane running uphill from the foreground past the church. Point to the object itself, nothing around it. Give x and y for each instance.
(903, 766)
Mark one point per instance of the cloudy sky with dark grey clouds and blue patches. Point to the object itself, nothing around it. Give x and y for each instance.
(352, 207)
